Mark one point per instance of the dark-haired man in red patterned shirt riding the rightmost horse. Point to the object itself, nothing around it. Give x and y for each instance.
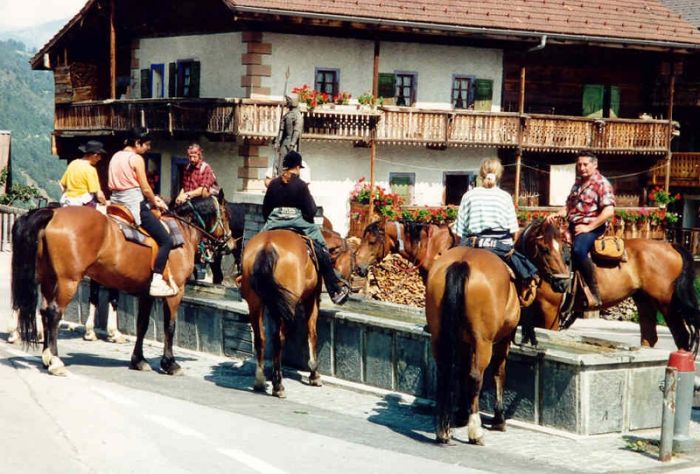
(589, 206)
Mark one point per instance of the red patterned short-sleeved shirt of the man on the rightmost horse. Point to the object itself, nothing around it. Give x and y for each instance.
(586, 201)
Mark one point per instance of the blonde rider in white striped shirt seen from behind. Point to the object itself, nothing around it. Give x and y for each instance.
(486, 219)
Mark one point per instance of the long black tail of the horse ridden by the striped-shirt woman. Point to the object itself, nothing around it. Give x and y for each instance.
(451, 324)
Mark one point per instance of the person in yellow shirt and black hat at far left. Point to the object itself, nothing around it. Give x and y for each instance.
(80, 184)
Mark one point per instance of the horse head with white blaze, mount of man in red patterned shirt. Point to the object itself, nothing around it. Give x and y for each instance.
(543, 243)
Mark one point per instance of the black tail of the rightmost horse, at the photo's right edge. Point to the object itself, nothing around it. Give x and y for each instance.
(684, 302)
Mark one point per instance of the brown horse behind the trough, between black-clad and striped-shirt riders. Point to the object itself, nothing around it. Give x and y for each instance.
(418, 242)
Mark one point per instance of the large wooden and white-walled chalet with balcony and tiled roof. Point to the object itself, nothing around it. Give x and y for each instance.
(531, 82)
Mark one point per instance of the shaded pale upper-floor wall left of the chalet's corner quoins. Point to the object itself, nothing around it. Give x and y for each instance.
(219, 54)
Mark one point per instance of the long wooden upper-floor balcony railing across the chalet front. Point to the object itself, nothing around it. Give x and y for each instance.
(260, 119)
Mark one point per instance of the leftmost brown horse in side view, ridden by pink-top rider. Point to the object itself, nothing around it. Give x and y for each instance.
(56, 248)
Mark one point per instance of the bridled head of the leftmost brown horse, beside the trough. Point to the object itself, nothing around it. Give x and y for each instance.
(212, 217)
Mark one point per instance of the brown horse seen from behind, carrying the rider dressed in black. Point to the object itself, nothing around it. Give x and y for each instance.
(279, 274)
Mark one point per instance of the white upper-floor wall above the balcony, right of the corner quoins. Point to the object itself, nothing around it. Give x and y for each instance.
(434, 64)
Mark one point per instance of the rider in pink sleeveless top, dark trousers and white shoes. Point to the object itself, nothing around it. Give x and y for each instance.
(129, 186)
